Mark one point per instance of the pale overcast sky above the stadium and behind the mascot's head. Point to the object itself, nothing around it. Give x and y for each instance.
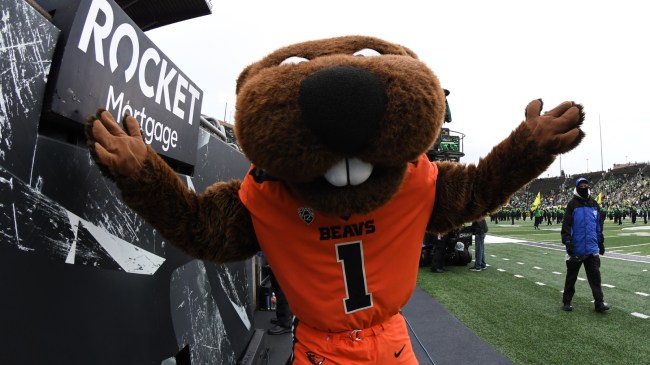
(494, 57)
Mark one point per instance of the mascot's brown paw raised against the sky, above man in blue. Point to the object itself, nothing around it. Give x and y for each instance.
(558, 130)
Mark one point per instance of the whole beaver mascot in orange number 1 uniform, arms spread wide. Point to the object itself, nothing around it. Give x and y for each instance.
(340, 191)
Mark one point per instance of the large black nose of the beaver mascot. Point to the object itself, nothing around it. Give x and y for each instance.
(343, 106)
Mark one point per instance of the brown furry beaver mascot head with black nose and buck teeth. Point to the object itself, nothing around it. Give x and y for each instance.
(339, 119)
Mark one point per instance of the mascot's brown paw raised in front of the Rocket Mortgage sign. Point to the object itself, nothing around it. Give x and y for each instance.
(117, 151)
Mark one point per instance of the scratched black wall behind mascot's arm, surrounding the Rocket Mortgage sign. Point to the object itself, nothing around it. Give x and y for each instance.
(84, 280)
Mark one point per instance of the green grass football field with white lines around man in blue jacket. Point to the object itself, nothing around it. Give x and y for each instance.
(521, 315)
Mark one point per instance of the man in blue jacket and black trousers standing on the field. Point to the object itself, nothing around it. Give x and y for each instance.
(582, 234)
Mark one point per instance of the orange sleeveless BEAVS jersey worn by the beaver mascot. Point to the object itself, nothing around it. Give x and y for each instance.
(343, 274)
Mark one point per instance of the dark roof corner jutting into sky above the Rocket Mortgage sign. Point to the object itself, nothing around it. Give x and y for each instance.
(150, 14)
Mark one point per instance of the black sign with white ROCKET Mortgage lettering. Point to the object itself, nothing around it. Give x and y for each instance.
(108, 62)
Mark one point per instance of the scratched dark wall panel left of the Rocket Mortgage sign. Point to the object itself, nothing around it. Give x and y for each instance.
(27, 42)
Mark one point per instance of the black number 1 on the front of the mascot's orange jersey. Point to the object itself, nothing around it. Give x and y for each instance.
(350, 255)
